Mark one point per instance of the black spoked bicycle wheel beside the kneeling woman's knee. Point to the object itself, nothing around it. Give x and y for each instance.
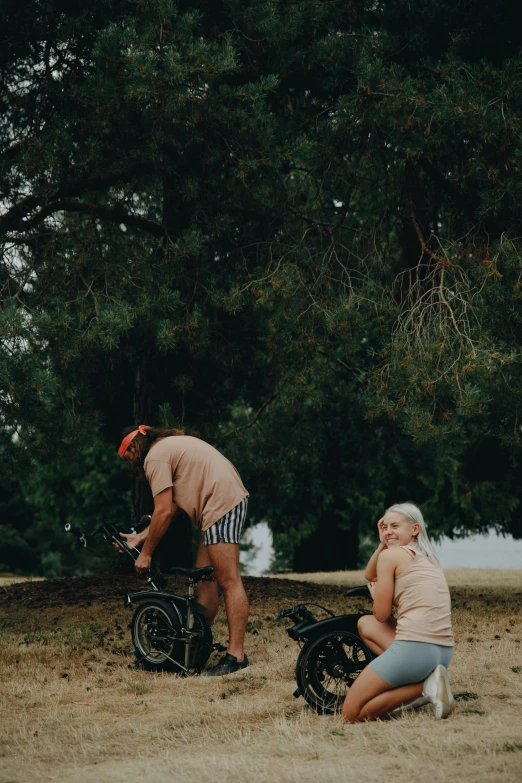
(327, 666)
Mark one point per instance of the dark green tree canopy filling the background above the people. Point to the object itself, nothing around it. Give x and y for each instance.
(297, 222)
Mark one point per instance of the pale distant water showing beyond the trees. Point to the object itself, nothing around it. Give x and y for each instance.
(488, 551)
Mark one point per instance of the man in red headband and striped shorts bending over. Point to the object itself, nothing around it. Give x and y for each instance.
(186, 473)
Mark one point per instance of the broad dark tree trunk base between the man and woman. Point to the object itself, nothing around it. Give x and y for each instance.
(329, 548)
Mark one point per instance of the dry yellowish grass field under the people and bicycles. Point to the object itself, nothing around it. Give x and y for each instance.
(74, 712)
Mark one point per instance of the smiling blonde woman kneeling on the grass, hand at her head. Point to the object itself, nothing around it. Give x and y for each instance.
(415, 649)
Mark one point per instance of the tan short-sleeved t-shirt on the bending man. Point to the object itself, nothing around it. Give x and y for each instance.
(204, 483)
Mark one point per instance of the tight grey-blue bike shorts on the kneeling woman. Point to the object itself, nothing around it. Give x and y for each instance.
(406, 662)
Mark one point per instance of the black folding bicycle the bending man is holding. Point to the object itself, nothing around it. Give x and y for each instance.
(169, 631)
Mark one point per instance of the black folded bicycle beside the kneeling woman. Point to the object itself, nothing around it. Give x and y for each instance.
(332, 653)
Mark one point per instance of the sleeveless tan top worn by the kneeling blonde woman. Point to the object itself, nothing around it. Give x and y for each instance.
(423, 603)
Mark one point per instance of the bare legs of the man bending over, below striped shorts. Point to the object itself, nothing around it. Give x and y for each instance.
(225, 559)
